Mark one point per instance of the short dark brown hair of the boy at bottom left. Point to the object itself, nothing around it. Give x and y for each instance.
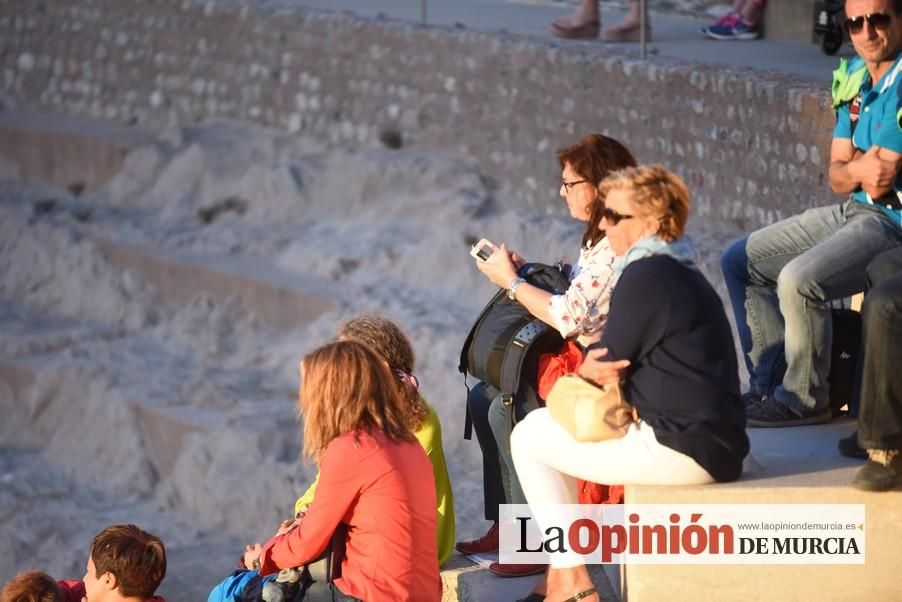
(136, 558)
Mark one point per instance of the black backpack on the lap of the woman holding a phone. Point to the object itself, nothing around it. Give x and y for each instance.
(505, 342)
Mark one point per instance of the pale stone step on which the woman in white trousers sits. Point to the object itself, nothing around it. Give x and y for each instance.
(797, 466)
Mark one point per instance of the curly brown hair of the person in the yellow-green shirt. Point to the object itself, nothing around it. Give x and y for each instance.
(388, 341)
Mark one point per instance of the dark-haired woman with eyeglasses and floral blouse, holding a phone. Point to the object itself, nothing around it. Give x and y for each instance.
(579, 314)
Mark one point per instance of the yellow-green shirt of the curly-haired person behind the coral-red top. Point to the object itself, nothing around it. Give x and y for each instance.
(430, 437)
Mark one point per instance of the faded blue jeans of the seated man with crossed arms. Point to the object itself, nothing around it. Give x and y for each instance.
(780, 280)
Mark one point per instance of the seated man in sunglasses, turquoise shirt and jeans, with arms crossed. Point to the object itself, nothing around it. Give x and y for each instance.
(781, 278)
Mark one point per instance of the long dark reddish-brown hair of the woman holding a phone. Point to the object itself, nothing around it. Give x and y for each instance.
(593, 158)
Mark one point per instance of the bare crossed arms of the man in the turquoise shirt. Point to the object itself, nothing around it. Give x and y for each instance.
(874, 170)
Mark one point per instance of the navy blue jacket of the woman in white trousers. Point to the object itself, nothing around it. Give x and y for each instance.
(683, 379)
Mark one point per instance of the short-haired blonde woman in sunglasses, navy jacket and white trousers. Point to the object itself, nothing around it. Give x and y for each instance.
(667, 339)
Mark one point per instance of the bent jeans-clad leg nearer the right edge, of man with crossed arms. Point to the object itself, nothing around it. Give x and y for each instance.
(835, 268)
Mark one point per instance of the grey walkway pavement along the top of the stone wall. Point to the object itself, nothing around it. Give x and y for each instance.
(675, 30)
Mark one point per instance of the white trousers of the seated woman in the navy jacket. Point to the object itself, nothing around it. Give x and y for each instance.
(548, 462)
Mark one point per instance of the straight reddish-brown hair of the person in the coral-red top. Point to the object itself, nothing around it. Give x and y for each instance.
(347, 387)
